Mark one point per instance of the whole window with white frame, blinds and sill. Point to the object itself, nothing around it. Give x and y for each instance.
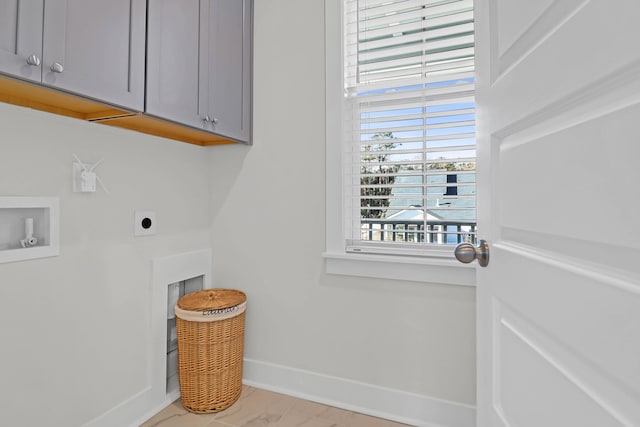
(349, 251)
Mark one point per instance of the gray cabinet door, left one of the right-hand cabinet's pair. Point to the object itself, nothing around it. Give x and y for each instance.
(173, 66)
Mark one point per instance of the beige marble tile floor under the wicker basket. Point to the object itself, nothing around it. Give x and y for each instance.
(261, 408)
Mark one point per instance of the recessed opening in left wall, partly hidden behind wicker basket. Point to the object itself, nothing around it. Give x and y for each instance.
(174, 292)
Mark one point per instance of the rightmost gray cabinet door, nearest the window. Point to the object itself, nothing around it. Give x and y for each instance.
(227, 53)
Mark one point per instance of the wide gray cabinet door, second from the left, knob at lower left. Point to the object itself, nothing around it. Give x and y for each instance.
(96, 48)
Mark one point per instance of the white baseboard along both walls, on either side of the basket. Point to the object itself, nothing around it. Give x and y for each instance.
(396, 405)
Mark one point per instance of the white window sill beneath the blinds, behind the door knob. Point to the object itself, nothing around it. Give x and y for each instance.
(431, 270)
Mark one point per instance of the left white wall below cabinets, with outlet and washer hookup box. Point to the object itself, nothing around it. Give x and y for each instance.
(75, 329)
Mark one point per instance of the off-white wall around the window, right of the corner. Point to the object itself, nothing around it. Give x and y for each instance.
(268, 236)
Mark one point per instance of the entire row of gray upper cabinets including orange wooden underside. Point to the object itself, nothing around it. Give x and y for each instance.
(184, 64)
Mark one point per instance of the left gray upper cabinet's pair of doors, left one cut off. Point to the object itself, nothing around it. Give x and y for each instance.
(94, 48)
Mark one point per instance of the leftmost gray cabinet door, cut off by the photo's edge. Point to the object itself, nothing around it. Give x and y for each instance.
(21, 38)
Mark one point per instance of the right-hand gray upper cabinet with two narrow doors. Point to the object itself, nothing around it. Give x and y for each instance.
(199, 64)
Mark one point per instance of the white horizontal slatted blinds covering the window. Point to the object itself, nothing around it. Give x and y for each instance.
(410, 124)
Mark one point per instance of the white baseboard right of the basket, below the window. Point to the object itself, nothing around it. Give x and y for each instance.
(409, 408)
